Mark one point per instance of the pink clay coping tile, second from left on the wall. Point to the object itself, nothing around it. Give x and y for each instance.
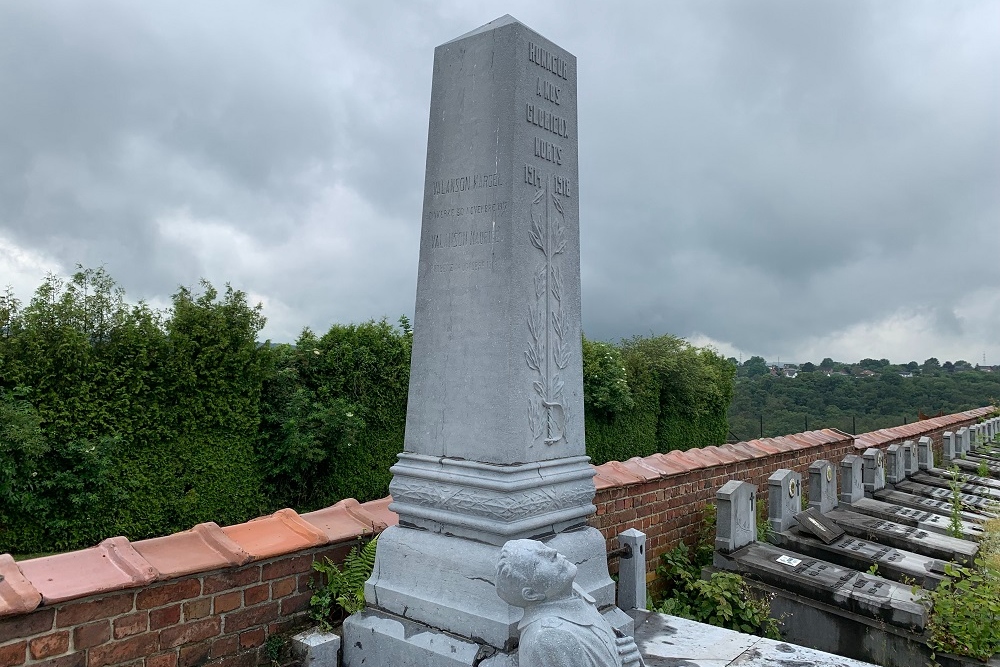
(110, 566)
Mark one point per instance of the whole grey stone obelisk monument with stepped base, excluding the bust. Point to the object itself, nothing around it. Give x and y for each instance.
(494, 446)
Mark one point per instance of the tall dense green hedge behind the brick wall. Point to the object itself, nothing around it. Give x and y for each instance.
(116, 419)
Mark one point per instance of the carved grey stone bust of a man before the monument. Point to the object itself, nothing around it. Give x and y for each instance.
(561, 627)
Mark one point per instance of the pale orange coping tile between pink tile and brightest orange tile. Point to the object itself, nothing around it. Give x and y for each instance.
(204, 547)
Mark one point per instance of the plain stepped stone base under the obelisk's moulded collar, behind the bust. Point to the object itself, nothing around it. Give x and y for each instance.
(435, 594)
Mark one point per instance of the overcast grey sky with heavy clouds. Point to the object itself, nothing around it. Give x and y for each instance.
(783, 178)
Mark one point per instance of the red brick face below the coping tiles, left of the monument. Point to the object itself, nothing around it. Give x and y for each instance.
(221, 618)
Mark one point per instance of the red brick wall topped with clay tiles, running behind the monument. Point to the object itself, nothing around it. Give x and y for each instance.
(222, 617)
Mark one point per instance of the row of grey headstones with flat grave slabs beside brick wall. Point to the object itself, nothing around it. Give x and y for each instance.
(892, 515)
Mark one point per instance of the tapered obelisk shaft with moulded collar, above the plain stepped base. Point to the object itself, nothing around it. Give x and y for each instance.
(494, 445)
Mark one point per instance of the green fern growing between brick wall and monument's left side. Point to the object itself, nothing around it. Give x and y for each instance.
(343, 593)
